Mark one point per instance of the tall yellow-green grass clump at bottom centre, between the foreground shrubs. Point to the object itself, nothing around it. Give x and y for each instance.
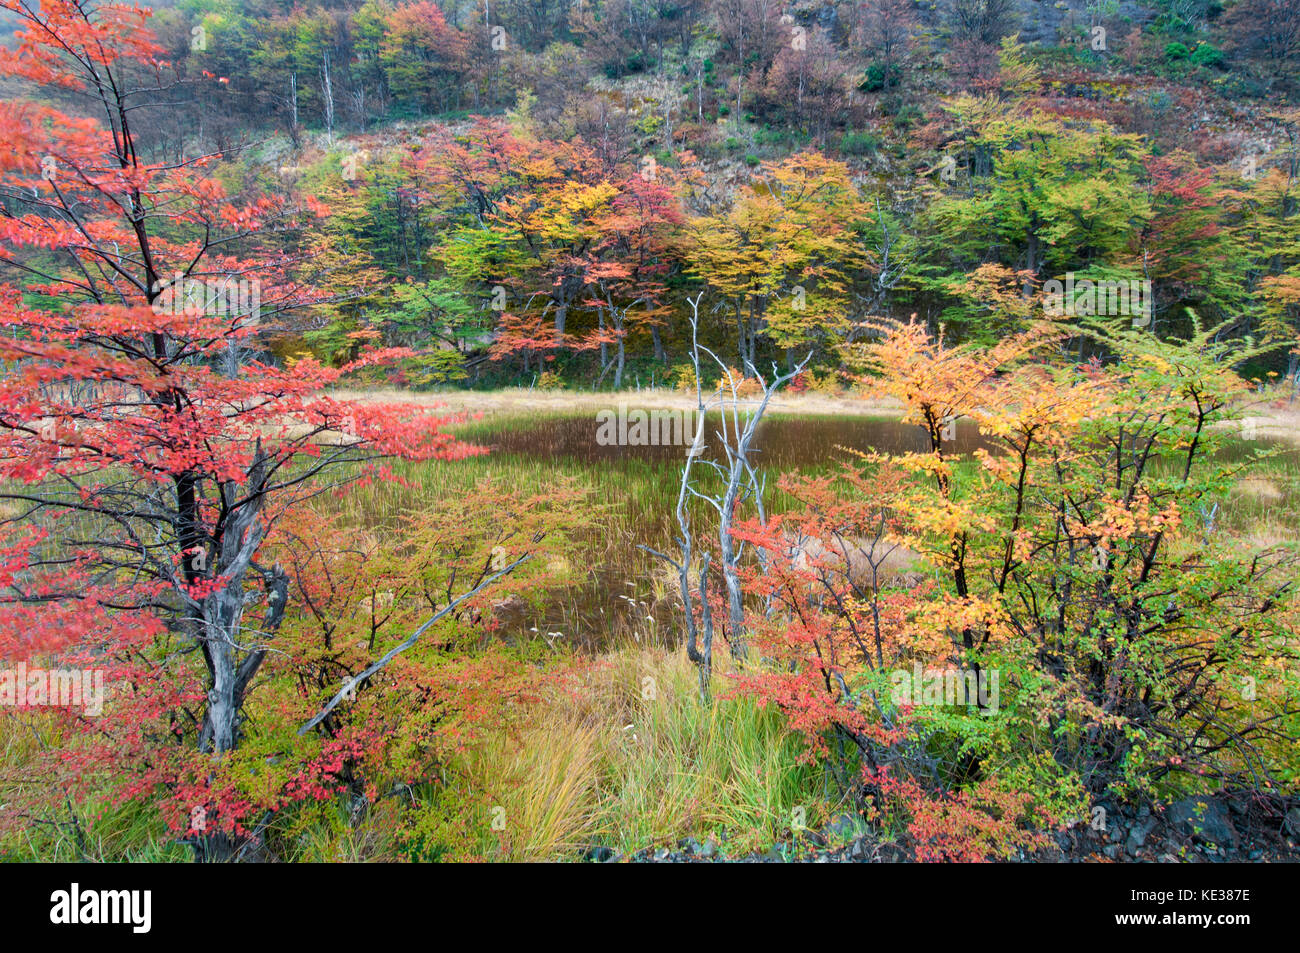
(630, 757)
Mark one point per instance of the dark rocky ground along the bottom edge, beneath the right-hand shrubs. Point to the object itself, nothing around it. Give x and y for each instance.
(1202, 830)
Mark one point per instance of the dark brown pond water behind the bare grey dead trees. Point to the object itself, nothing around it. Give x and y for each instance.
(627, 594)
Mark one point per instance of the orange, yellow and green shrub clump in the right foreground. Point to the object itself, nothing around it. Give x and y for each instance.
(1117, 633)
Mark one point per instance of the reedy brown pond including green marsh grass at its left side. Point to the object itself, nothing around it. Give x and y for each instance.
(622, 592)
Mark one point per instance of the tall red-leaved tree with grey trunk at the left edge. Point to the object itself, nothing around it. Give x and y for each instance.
(141, 466)
